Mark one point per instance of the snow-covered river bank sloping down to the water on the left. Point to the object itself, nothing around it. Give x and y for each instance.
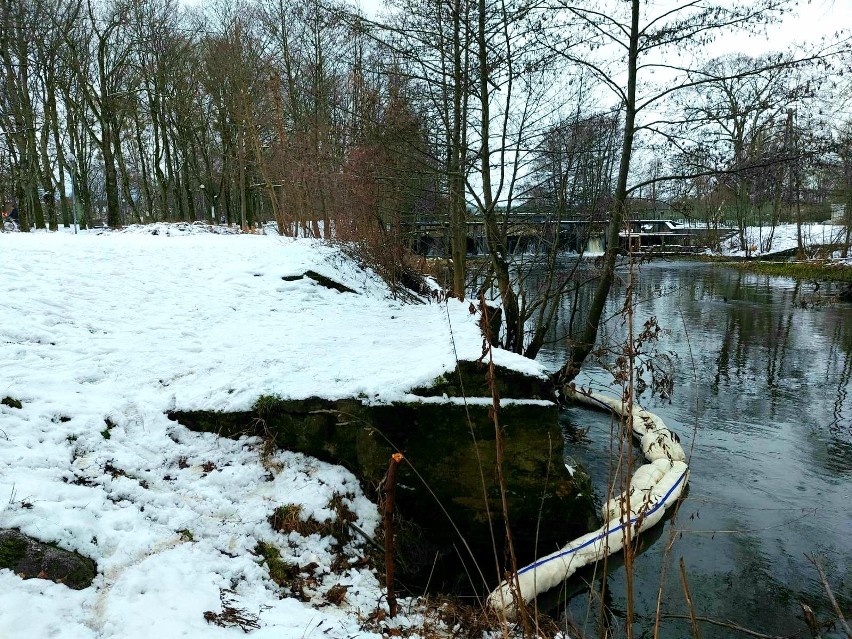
(100, 334)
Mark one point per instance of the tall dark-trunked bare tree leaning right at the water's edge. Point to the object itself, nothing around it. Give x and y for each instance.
(637, 39)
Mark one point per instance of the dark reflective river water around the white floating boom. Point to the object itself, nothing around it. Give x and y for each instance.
(762, 368)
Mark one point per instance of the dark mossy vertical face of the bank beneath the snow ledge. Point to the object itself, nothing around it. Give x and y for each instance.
(449, 480)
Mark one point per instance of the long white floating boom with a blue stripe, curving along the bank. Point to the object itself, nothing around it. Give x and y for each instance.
(654, 487)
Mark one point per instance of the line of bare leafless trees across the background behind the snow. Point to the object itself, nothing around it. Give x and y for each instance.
(333, 123)
